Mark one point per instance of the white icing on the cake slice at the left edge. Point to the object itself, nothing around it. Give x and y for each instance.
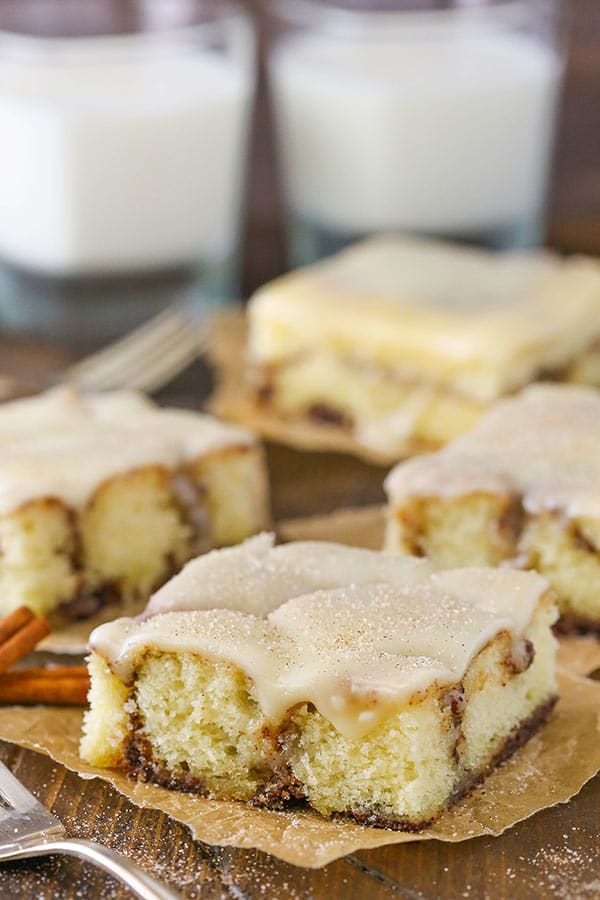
(65, 444)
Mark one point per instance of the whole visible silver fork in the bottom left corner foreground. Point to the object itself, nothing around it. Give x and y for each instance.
(28, 829)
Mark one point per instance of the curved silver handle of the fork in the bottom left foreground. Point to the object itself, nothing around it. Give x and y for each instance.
(141, 884)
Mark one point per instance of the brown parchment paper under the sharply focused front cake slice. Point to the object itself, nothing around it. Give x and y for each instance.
(550, 769)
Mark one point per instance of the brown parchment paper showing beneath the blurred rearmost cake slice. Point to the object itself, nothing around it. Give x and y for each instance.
(232, 399)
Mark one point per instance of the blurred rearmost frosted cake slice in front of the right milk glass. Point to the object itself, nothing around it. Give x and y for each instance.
(397, 345)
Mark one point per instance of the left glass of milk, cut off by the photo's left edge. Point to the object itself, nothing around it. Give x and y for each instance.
(123, 131)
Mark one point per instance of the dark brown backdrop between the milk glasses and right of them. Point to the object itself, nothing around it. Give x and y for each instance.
(574, 200)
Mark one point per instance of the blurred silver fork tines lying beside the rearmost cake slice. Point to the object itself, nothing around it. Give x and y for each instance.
(147, 358)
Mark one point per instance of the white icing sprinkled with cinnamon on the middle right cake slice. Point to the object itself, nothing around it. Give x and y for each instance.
(542, 444)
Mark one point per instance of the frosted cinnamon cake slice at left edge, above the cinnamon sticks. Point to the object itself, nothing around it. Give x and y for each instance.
(103, 497)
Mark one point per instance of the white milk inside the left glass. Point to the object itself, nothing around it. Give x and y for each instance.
(126, 165)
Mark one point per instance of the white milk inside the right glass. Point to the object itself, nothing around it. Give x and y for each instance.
(440, 133)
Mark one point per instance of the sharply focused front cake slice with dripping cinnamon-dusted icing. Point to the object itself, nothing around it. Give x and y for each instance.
(359, 682)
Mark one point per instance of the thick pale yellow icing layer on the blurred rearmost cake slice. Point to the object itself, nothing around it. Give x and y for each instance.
(482, 323)
